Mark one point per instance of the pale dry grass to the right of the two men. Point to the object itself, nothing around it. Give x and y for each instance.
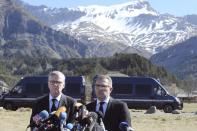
(161, 121)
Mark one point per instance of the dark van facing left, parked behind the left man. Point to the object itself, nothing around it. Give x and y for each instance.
(32, 88)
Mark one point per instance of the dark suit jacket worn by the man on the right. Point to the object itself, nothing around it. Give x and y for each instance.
(116, 112)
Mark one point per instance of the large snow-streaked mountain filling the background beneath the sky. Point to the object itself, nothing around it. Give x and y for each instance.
(115, 28)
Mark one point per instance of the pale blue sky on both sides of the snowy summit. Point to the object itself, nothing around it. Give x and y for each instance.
(174, 7)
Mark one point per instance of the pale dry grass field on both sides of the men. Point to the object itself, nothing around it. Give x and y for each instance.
(186, 121)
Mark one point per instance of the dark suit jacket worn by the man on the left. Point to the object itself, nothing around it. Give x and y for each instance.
(43, 104)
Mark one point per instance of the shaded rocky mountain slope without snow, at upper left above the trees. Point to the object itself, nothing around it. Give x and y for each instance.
(22, 35)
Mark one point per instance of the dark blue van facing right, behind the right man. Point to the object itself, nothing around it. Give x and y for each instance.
(142, 93)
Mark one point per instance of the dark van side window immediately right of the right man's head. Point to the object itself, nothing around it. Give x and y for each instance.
(122, 89)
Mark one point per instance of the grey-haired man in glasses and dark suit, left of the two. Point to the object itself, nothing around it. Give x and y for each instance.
(55, 99)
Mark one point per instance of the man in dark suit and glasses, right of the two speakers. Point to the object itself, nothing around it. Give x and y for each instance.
(114, 111)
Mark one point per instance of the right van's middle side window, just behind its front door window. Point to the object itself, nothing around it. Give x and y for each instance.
(143, 89)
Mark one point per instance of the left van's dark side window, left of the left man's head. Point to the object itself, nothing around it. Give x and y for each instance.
(32, 88)
